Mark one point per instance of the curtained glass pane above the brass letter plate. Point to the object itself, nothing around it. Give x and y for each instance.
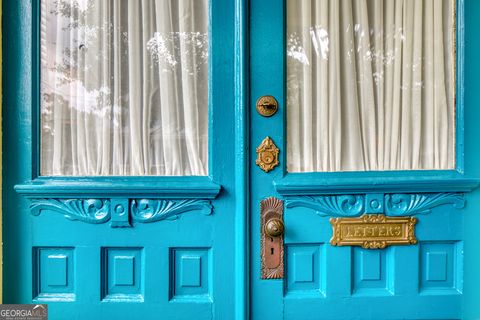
(370, 85)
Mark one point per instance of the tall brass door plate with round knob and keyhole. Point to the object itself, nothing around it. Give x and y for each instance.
(271, 223)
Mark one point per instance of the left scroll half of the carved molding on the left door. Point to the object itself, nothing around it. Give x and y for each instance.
(86, 210)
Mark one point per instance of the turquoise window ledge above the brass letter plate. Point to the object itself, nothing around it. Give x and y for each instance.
(370, 182)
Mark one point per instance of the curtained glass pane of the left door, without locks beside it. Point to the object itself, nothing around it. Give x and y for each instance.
(124, 87)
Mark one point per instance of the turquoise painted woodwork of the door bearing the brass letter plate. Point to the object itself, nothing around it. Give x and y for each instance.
(322, 281)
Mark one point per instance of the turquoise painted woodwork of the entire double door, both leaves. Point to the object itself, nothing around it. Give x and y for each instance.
(191, 247)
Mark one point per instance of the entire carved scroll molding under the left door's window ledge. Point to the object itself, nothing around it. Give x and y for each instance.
(98, 211)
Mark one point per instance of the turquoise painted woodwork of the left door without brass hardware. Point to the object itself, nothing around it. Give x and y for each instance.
(111, 247)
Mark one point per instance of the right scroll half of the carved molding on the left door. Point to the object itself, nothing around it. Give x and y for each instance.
(148, 210)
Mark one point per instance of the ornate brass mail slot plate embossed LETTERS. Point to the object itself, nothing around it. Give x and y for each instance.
(373, 231)
